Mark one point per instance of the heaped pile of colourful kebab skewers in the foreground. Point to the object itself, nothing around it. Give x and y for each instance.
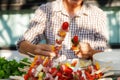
(44, 69)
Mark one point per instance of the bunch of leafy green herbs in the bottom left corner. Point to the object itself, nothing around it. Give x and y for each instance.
(8, 68)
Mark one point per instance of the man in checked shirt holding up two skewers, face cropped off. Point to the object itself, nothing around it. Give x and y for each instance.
(86, 21)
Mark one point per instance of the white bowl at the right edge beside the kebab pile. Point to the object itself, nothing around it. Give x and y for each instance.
(108, 58)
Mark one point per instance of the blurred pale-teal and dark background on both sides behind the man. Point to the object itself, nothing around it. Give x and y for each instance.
(15, 16)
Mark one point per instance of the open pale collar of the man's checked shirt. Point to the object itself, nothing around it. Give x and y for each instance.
(60, 8)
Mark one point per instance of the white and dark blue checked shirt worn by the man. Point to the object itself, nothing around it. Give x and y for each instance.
(89, 23)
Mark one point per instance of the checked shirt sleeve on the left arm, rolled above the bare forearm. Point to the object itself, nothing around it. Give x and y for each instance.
(35, 31)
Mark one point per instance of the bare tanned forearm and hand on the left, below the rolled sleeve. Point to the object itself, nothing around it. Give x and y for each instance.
(39, 49)
